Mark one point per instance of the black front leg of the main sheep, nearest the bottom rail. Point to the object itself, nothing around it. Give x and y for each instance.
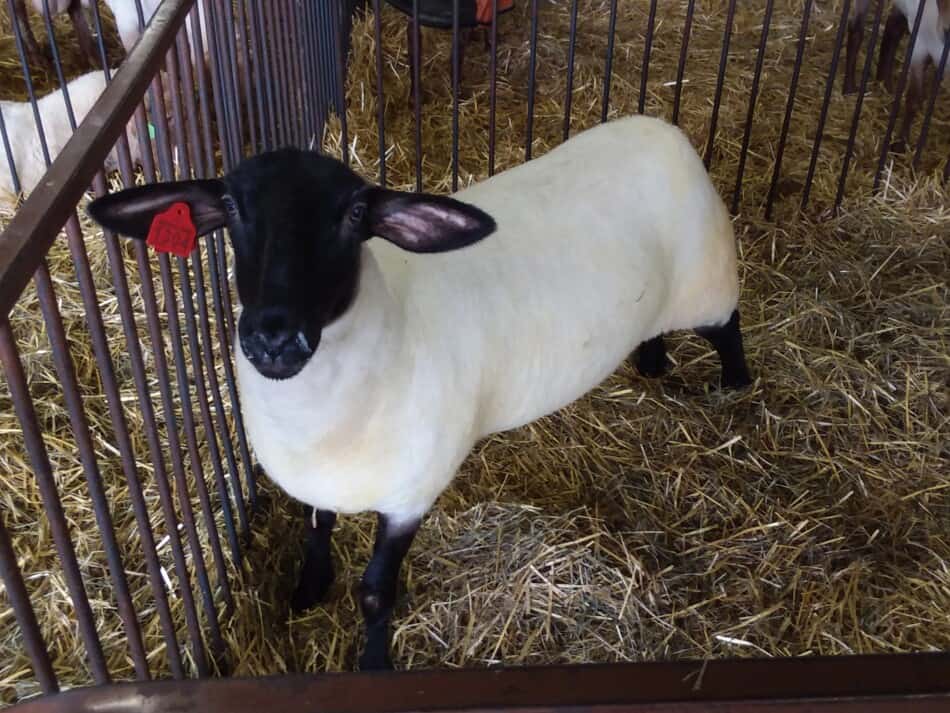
(378, 590)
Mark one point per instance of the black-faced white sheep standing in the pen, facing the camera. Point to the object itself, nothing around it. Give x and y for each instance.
(368, 369)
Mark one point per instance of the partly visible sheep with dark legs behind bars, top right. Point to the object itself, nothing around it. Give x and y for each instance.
(931, 36)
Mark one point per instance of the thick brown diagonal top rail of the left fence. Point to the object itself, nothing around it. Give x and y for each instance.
(37, 222)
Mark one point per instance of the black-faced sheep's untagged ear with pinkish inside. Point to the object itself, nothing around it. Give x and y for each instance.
(424, 223)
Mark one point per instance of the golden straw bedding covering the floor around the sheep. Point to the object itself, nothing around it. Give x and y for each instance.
(650, 519)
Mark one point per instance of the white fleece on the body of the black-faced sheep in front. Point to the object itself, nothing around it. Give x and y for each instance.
(606, 241)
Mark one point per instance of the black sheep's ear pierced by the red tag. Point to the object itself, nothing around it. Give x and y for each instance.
(130, 212)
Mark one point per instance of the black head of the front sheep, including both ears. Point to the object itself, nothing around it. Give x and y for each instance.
(297, 220)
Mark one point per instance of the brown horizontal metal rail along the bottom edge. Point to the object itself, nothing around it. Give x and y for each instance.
(905, 683)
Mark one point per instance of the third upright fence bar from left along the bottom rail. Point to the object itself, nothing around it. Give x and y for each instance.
(66, 373)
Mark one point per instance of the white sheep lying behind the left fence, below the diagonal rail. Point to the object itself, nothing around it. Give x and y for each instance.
(24, 139)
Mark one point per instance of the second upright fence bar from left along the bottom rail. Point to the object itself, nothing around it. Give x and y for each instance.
(32, 436)
